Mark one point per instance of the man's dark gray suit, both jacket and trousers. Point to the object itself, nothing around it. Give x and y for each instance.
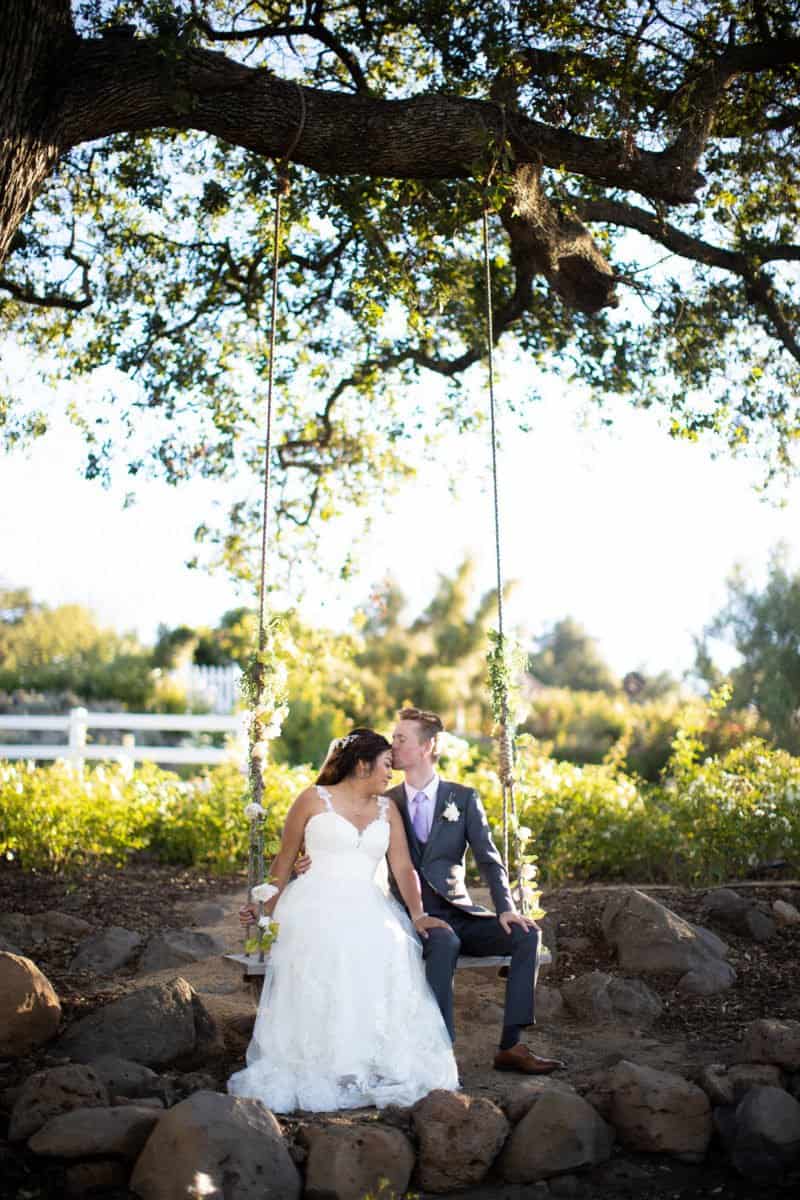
(474, 931)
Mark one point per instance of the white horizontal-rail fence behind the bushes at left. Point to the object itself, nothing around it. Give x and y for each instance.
(79, 746)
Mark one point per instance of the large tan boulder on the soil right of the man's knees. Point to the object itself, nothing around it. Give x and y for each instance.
(652, 939)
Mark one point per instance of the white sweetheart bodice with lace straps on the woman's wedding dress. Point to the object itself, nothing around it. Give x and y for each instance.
(338, 847)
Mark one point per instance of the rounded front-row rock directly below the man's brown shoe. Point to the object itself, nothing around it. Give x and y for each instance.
(561, 1133)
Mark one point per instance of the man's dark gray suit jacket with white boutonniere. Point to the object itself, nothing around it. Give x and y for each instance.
(441, 860)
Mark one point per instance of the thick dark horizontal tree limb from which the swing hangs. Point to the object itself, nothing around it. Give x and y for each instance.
(115, 86)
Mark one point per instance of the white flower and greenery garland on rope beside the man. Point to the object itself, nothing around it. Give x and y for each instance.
(507, 662)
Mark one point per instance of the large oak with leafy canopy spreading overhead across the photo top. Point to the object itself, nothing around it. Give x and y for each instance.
(641, 160)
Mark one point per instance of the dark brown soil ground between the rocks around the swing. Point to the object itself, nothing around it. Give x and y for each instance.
(691, 1033)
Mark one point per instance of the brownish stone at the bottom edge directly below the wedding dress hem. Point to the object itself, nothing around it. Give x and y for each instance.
(350, 1163)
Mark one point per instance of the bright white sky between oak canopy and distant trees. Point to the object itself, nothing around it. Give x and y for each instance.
(624, 530)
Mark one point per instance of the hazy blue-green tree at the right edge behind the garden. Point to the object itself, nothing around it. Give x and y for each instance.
(765, 627)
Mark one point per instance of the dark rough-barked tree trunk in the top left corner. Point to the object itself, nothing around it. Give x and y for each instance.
(35, 35)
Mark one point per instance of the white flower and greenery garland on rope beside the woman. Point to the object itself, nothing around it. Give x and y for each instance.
(264, 693)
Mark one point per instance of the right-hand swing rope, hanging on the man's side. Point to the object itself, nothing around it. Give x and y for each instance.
(506, 743)
